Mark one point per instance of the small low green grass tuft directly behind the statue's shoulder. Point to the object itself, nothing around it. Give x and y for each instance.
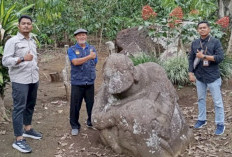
(143, 59)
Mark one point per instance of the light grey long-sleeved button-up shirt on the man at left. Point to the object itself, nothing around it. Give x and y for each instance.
(25, 72)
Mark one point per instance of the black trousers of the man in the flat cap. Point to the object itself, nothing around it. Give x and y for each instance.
(78, 92)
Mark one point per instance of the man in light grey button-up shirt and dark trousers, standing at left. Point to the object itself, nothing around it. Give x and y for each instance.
(20, 57)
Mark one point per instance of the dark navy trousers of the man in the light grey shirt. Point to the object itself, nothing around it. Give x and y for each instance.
(24, 100)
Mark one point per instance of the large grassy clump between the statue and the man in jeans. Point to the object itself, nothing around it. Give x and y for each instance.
(177, 70)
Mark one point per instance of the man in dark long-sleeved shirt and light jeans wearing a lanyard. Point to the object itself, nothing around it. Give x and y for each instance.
(205, 72)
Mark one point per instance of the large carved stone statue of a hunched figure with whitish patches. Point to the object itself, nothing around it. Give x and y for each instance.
(136, 110)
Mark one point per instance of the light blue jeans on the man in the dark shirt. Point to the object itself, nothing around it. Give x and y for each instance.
(215, 90)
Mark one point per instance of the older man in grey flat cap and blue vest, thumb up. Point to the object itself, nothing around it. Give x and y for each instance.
(83, 59)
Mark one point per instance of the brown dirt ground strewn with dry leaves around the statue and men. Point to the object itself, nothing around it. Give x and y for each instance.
(51, 118)
